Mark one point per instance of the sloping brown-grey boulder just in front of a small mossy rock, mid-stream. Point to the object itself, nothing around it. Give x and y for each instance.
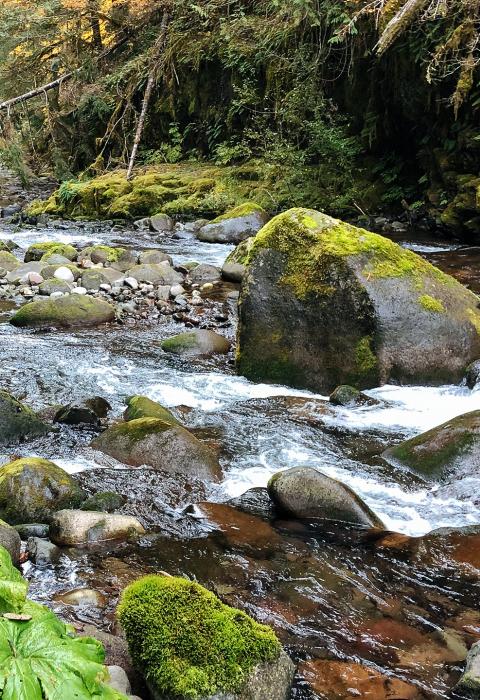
(158, 444)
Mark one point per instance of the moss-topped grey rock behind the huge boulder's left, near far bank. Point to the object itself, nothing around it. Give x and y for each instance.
(235, 226)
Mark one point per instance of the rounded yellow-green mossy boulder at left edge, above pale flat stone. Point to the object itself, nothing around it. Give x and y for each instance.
(31, 489)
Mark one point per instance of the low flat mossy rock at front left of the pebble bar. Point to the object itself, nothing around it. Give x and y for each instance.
(65, 312)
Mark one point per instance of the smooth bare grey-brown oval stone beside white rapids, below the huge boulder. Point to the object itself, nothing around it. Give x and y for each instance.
(305, 493)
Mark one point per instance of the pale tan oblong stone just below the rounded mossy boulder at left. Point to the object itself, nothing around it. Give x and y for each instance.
(74, 527)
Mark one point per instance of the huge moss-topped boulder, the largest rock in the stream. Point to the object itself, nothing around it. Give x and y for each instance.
(325, 303)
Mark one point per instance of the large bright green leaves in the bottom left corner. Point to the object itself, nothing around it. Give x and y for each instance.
(40, 657)
